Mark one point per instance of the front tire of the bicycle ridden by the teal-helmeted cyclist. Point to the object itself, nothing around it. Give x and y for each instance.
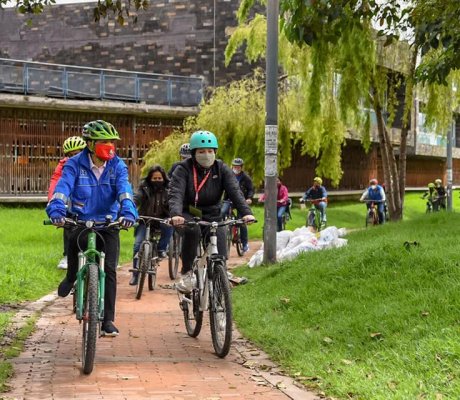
(220, 310)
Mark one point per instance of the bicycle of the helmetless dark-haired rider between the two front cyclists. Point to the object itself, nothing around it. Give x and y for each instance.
(147, 256)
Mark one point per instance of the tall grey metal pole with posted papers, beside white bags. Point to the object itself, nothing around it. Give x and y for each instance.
(271, 133)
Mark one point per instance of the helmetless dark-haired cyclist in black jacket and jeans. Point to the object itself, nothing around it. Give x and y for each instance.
(151, 200)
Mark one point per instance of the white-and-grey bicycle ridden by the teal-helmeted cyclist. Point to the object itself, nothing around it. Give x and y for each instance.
(211, 291)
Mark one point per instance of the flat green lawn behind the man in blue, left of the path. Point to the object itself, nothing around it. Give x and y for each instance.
(30, 252)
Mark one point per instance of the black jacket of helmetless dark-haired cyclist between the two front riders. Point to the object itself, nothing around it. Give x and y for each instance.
(150, 202)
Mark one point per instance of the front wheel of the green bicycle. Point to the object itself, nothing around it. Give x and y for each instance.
(90, 319)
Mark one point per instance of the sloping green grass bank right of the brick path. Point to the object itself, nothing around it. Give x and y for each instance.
(367, 321)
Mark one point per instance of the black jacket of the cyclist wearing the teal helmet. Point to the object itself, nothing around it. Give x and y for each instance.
(222, 178)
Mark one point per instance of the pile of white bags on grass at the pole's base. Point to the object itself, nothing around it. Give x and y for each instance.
(289, 244)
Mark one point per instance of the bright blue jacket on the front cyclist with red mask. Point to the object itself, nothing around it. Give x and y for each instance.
(93, 199)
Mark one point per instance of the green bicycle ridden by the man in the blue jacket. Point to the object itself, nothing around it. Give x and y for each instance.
(89, 289)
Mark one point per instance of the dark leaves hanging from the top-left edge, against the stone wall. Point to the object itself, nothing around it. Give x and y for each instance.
(119, 9)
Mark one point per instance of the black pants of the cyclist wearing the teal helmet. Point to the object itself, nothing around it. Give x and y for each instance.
(191, 238)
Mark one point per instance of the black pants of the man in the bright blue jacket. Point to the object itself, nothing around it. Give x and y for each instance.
(107, 241)
